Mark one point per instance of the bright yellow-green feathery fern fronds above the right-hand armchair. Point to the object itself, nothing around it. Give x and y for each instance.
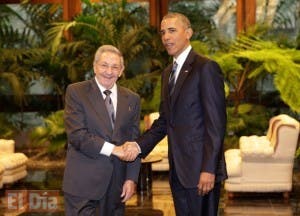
(250, 59)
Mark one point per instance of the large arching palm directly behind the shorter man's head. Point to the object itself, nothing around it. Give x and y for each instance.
(109, 22)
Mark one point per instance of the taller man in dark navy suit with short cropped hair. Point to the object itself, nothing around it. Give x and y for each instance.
(193, 115)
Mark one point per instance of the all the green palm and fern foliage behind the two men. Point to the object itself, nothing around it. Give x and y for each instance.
(43, 49)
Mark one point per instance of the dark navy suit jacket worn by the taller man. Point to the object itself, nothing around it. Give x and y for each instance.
(194, 119)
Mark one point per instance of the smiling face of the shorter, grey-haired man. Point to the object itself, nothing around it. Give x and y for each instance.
(108, 69)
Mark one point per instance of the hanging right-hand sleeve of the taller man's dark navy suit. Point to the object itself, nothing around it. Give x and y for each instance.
(213, 102)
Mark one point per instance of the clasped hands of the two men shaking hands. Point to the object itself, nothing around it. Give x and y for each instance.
(127, 152)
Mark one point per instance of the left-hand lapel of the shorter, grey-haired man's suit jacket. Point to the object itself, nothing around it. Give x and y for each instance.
(97, 102)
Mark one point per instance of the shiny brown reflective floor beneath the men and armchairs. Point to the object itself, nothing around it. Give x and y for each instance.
(160, 202)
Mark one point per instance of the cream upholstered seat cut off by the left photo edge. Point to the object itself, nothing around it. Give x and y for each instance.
(12, 165)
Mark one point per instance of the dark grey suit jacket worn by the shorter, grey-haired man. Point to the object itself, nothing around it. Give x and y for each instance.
(88, 173)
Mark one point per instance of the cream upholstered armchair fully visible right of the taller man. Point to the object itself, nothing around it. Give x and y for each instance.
(264, 163)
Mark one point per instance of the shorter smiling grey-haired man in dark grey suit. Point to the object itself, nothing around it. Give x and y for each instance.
(99, 117)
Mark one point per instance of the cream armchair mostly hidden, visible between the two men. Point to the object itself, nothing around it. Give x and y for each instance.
(161, 148)
